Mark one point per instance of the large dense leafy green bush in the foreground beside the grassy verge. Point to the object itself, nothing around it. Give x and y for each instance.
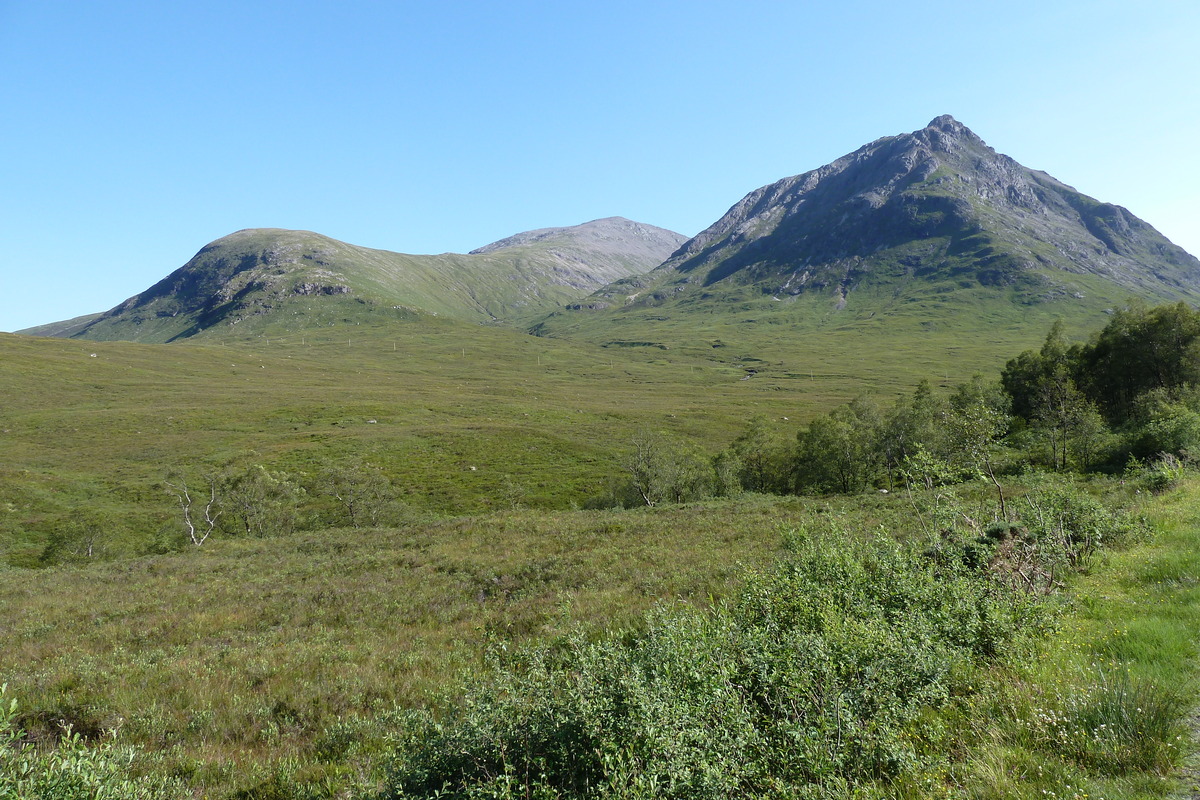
(818, 676)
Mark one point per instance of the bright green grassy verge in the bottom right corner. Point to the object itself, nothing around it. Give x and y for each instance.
(1102, 709)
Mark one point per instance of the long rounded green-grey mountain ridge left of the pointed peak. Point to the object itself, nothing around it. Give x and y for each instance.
(278, 281)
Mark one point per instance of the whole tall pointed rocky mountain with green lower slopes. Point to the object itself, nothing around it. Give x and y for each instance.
(909, 225)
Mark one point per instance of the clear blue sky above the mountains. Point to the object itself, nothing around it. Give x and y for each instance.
(135, 133)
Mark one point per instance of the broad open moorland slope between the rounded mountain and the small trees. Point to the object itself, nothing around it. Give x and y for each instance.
(454, 414)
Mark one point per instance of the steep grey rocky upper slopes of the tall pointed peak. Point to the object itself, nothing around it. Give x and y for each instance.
(934, 202)
